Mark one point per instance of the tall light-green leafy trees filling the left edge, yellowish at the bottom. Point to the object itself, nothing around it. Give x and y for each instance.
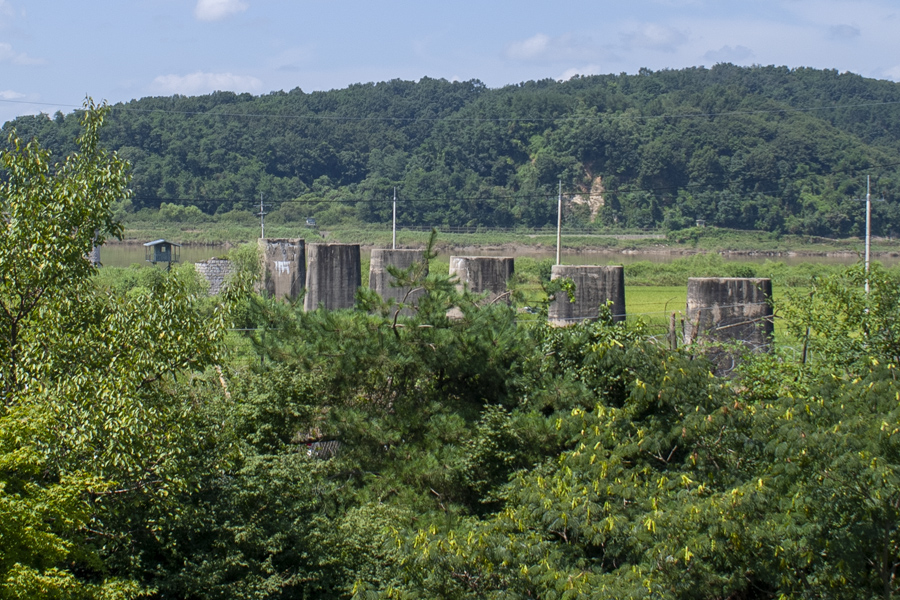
(92, 426)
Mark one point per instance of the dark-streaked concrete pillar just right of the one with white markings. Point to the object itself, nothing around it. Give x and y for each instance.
(332, 277)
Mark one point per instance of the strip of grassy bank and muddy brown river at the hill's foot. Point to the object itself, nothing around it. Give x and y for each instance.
(742, 246)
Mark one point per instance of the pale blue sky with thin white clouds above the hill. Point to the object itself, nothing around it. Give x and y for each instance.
(54, 53)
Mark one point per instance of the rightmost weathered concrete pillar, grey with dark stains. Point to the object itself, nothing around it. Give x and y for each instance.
(729, 309)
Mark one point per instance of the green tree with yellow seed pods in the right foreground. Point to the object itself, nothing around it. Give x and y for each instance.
(677, 484)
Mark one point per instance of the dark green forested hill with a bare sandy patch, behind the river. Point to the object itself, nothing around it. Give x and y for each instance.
(767, 148)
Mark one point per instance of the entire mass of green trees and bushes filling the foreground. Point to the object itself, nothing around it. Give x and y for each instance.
(155, 442)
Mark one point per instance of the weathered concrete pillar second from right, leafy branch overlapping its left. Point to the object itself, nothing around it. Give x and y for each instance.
(594, 285)
